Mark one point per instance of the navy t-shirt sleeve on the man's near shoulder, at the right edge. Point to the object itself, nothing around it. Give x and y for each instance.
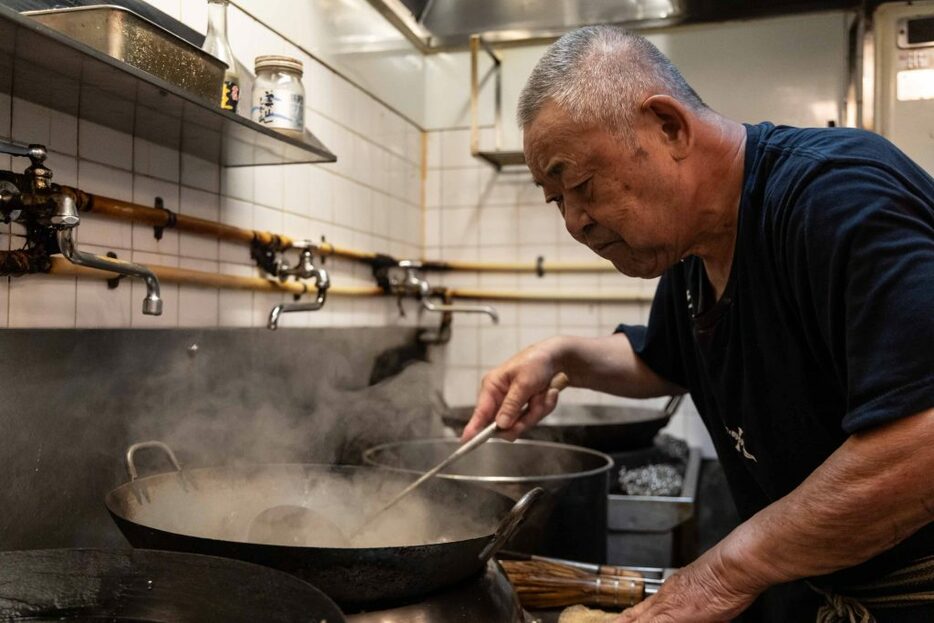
(860, 254)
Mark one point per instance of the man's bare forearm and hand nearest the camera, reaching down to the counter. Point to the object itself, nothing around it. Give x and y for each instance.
(876, 490)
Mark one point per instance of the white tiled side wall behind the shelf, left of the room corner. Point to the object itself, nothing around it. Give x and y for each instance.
(370, 199)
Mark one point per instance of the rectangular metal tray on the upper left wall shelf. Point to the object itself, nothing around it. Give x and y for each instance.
(136, 41)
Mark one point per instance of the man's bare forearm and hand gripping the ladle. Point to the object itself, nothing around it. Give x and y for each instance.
(605, 364)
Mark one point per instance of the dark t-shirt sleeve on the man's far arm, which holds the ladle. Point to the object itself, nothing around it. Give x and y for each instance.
(656, 345)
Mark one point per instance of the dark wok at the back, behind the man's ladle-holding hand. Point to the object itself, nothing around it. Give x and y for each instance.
(599, 427)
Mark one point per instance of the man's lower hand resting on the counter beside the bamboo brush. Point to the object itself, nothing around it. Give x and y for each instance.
(702, 592)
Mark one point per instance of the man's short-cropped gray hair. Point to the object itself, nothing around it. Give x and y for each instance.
(596, 73)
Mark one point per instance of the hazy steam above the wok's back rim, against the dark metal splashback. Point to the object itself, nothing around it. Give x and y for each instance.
(291, 415)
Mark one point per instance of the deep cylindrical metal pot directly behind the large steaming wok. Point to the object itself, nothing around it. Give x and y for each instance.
(571, 520)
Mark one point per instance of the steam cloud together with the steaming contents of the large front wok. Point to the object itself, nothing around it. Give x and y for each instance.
(263, 422)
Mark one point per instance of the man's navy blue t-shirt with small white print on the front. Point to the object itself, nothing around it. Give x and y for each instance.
(826, 325)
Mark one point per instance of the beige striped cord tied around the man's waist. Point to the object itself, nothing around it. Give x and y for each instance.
(909, 586)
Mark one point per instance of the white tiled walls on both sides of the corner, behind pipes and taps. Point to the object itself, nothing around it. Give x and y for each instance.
(371, 199)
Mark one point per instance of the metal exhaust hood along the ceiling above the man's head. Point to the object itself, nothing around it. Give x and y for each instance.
(433, 25)
